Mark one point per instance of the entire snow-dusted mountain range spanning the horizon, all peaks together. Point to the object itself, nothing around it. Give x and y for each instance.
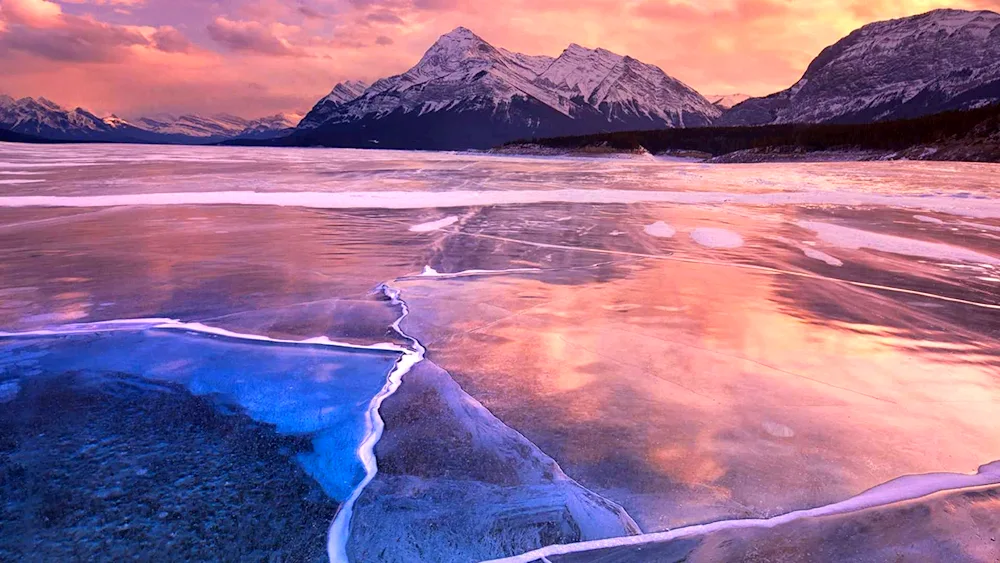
(465, 93)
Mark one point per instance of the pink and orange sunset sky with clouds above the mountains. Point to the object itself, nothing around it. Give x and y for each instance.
(261, 57)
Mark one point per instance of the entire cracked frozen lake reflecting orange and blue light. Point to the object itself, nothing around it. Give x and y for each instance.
(259, 354)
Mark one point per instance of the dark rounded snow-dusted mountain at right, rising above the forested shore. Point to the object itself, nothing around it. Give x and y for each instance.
(938, 61)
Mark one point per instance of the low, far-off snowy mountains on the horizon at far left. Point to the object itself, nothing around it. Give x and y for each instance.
(46, 119)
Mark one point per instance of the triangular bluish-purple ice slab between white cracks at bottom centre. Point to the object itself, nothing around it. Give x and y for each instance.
(472, 472)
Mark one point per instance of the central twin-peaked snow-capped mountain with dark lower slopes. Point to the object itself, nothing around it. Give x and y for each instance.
(466, 93)
